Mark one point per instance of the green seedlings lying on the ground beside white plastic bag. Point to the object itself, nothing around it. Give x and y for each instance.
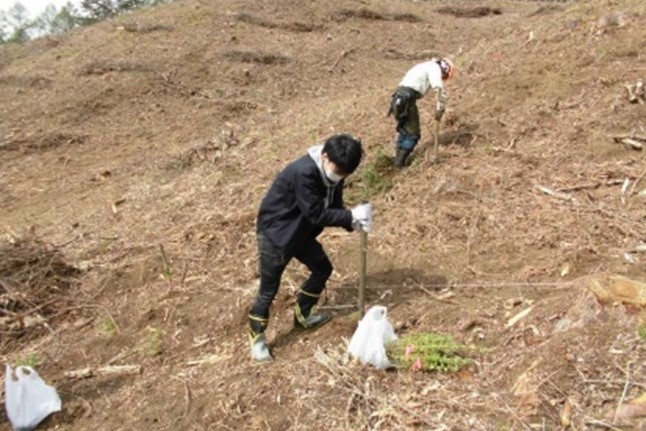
(429, 352)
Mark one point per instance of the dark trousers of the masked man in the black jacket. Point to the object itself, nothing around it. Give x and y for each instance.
(272, 264)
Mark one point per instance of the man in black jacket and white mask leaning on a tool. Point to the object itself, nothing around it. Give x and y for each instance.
(305, 197)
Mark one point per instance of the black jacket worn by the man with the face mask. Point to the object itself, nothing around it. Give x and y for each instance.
(299, 204)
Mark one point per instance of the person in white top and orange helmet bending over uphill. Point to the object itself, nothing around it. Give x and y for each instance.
(416, 83)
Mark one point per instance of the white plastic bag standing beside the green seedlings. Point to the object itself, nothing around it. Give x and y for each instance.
(368, 342)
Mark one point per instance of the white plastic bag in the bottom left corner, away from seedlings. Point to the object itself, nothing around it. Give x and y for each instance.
(28, 399)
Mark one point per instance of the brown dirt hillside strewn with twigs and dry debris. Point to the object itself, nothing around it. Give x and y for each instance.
(135, 152)
